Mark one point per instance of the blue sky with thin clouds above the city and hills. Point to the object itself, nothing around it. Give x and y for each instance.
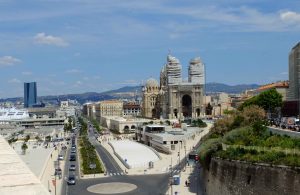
(75, 46)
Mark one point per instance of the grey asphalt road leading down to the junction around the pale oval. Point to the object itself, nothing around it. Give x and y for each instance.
(146, 184)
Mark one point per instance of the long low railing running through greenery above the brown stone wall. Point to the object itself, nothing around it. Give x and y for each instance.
(286, 151)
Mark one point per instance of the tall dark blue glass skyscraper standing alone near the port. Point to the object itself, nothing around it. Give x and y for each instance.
(30, 95)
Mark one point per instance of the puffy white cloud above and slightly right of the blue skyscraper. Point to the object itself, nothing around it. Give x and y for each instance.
(42, 38)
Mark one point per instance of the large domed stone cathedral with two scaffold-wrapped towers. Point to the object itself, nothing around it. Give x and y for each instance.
(173, 97)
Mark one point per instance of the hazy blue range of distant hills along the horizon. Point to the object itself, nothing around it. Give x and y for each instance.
(130, 92)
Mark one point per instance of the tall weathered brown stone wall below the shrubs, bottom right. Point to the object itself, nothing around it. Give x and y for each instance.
(233, 177)
